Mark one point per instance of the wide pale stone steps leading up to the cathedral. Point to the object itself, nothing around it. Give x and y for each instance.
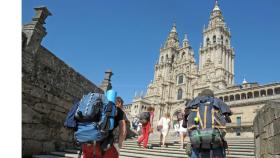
(239, 147)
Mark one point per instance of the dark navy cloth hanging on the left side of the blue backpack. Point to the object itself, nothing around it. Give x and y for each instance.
(70, 121)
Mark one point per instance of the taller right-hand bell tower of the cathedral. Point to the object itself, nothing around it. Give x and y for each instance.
(216, 56)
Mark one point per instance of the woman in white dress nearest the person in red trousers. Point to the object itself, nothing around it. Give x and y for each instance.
(164, 124)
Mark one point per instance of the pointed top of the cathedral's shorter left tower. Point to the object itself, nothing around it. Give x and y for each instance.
(172, 39)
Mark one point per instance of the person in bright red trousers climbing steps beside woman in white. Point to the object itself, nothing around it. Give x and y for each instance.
(146, 130)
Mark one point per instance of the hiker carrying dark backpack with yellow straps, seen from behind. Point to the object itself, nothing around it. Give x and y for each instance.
(206, 125)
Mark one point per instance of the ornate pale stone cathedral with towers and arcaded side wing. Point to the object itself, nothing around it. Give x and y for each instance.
(178, 78)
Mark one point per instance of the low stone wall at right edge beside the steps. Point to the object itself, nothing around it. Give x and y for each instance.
(267, 131)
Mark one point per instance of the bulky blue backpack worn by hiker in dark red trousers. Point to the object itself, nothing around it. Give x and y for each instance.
(95, 118)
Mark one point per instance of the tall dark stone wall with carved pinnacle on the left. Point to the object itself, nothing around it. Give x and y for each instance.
(49, 87)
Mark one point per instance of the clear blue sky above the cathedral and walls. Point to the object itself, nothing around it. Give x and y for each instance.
(125, 36)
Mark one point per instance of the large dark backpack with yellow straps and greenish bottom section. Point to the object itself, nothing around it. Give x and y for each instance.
(206, 124)
